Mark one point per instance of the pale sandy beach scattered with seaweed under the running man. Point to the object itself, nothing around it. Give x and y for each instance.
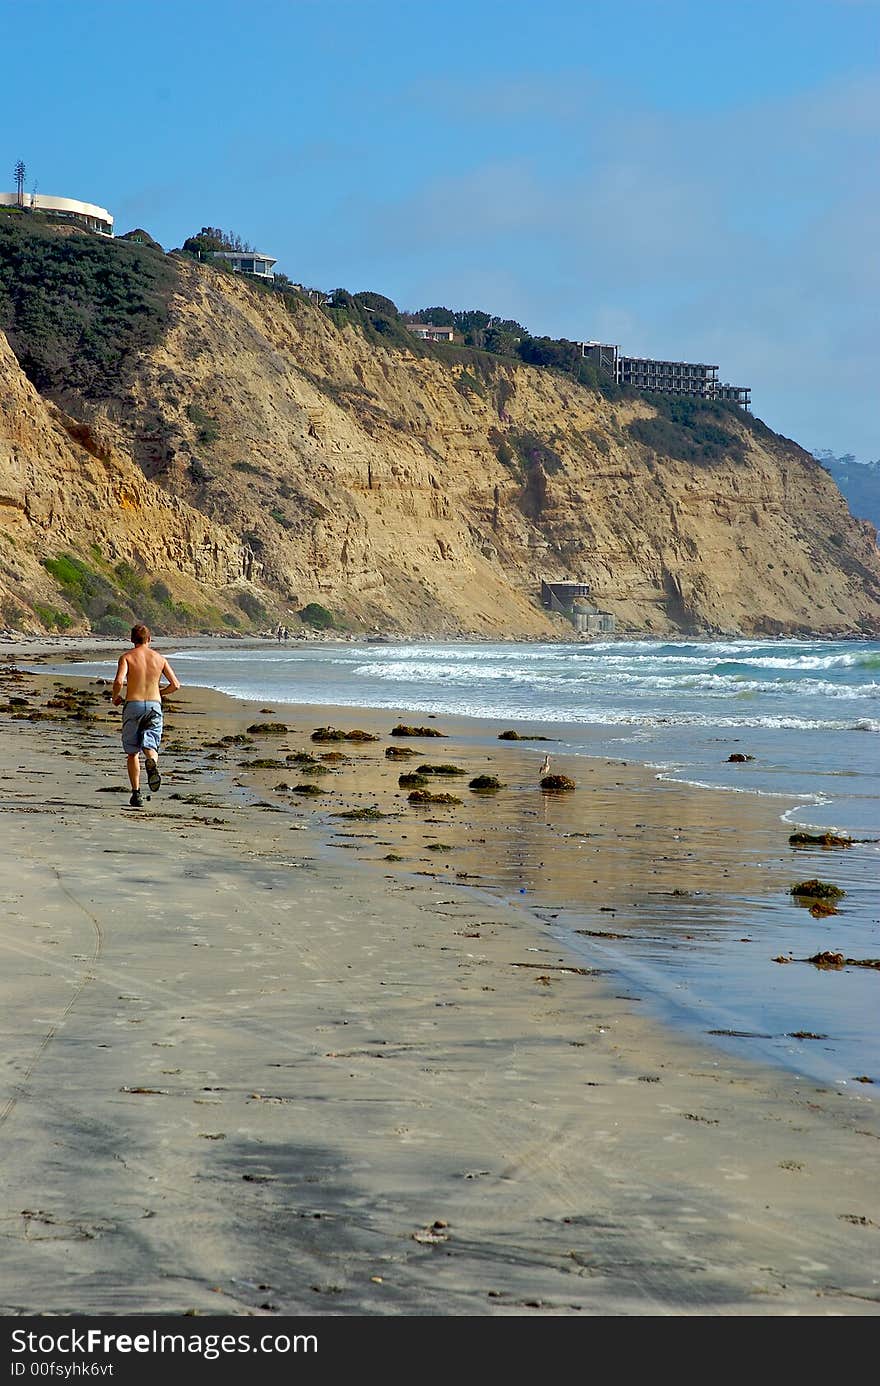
(260, 1062)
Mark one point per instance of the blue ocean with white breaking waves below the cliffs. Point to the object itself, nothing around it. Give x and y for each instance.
(809, 712)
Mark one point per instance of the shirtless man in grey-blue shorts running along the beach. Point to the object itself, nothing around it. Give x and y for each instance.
(141, 672)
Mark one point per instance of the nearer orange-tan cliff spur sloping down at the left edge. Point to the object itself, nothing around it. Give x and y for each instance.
(70, 486)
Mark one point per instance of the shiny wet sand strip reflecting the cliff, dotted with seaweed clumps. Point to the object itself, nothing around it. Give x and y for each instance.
(688, 979)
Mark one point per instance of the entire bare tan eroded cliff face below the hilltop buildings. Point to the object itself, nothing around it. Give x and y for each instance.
(411, 494)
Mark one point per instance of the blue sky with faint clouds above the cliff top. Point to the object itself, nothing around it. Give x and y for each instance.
(689, 179)
